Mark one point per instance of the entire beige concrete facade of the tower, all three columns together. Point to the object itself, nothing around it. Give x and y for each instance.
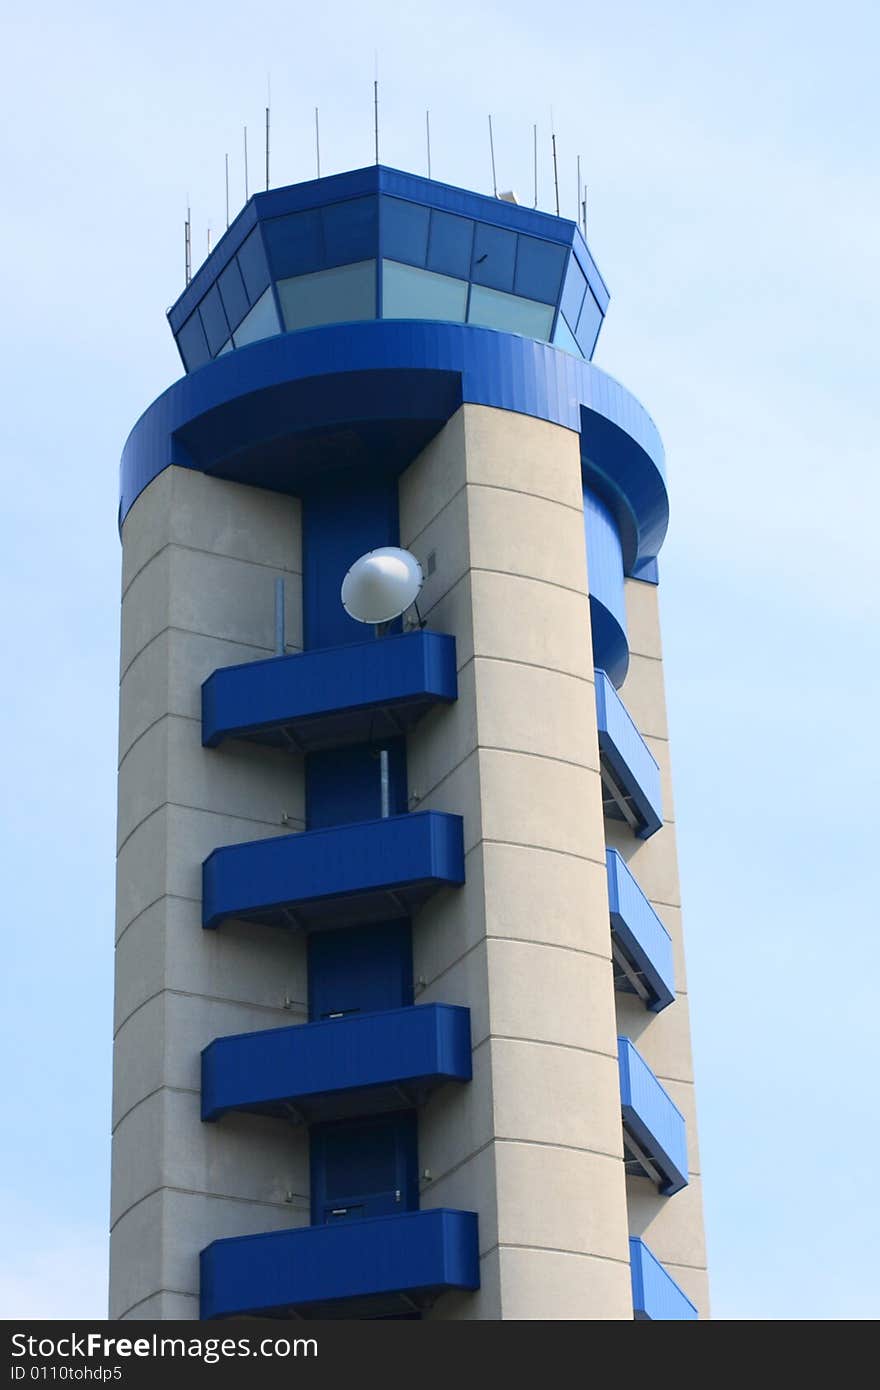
(535, 1142)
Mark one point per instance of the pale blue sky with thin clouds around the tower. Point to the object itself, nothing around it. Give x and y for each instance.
(731, 155)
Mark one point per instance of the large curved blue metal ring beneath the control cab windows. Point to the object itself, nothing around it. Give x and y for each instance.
(270, 415)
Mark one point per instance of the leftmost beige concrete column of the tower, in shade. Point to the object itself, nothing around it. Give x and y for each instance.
(199, 566)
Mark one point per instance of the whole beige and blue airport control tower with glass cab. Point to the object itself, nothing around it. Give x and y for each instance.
(401, 1013)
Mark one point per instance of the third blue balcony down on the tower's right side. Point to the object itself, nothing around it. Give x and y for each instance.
(654, 1131)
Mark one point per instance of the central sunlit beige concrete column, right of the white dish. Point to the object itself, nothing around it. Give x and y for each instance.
(494, 511)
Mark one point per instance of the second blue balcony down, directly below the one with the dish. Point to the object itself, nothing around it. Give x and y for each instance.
(368, 872)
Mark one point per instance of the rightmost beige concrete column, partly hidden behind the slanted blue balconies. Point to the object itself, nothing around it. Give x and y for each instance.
(674, 1228)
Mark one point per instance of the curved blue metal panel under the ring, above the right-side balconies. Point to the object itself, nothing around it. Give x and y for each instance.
(608, 610)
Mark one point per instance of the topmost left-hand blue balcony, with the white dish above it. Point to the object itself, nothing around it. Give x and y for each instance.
(332, 697)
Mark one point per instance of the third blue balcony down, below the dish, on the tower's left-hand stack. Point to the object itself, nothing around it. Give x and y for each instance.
(359, 1064)
